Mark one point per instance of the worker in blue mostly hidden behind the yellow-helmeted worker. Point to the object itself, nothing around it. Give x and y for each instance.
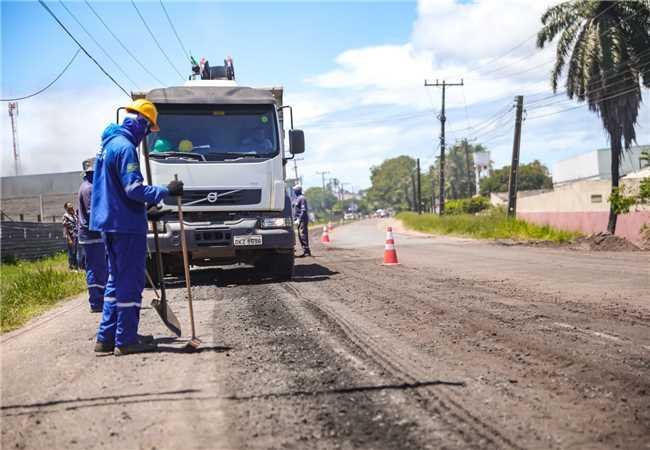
(91, 243)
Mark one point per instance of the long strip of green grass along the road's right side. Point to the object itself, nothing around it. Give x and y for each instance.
(491, 225)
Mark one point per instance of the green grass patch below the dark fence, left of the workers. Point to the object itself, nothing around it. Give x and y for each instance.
(28, 288)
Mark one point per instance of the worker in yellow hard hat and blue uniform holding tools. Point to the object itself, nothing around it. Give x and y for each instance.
(119, 200)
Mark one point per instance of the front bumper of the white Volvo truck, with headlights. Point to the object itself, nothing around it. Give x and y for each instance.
(209, 240)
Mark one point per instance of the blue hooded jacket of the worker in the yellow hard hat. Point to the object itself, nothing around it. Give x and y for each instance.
(119, 195)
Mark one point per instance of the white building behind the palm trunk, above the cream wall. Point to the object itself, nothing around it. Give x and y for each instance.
(596, 165)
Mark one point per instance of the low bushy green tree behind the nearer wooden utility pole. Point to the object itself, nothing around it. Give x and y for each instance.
(531, 176)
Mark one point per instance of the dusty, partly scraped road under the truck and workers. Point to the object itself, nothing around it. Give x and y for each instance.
(466, 344)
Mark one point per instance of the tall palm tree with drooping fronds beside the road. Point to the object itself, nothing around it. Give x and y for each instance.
(606, 45)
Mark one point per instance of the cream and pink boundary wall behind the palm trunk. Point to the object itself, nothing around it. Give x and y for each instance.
(572, 207)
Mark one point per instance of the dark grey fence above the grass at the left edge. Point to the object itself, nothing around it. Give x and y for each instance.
(30, 240)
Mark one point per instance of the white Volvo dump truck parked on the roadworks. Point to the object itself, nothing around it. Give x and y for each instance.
(227, 144)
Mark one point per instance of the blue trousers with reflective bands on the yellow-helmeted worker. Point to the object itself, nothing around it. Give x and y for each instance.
(123, 294)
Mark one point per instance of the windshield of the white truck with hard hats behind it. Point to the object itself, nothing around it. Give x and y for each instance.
(215, 133)
